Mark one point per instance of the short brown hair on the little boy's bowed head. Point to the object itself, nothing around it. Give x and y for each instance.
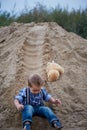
(36, 80)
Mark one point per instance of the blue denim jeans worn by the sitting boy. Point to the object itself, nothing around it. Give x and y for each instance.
(29, 111)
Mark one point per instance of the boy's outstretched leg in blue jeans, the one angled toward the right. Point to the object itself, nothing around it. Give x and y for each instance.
(49, 114)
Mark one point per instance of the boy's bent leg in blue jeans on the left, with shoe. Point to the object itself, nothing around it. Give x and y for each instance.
(27, 114)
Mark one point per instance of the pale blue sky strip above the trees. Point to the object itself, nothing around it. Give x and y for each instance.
(18, 5)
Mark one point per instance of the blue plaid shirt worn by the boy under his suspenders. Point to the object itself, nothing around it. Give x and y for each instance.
(35, 99)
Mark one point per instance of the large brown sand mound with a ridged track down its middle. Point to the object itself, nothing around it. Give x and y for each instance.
(26, 49)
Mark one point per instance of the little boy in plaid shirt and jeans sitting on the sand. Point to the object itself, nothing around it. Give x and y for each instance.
(30, 102)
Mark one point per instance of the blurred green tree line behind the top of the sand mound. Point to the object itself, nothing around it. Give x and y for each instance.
(73, 21)
